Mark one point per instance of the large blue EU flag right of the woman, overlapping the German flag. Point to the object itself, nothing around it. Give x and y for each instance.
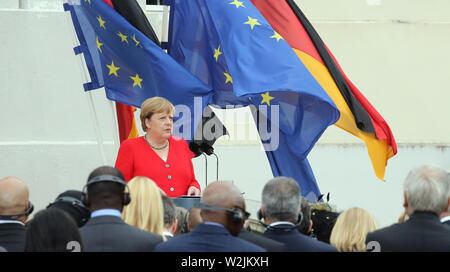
(230, 46)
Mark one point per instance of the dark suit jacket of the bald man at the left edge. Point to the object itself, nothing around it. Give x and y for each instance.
(12, 237)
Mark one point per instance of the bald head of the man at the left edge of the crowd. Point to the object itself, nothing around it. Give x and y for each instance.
(13, 196)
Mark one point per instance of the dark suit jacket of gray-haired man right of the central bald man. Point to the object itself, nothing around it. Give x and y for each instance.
(296, 241)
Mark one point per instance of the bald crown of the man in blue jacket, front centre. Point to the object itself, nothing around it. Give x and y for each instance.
(223, 194)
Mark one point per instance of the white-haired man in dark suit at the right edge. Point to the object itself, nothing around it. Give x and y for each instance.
(426, 196)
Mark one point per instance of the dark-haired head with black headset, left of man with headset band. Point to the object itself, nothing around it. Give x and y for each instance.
(70, 202)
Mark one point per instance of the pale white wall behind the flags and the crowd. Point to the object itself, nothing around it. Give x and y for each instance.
(396, 52)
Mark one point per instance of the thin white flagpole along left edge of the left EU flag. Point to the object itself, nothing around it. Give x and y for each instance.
(90, 100)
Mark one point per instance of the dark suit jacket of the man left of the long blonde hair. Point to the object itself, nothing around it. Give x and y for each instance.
(112, 234)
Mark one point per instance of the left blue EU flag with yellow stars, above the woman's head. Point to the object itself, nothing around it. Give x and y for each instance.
(129, 65)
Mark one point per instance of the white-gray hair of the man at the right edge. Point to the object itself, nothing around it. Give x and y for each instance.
(427, 188)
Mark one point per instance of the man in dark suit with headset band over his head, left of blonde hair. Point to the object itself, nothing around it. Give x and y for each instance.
(105, 230)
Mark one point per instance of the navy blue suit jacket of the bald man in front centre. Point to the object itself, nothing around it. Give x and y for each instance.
(207, 238)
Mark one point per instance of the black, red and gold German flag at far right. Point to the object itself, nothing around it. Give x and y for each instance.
(358, 116)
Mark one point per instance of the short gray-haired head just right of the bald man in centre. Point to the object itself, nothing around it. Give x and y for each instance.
(281, 198)
